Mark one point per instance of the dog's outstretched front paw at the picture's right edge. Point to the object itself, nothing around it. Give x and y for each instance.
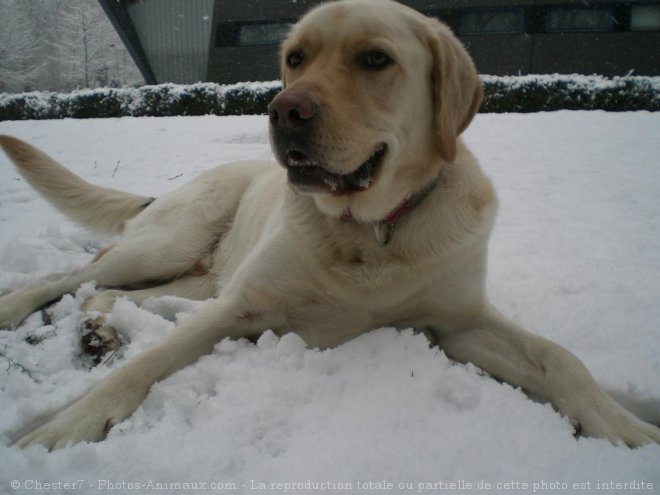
(613, 422)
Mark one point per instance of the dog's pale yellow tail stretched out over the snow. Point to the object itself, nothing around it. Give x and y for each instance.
(98, 208)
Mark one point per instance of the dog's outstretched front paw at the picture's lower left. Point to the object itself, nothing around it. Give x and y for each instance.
(72, 425)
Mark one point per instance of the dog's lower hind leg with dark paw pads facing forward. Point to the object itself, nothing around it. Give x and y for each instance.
(98, 337)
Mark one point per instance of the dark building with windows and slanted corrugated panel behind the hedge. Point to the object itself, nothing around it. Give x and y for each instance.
(230, 41)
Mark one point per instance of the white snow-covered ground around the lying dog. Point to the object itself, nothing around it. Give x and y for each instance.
(575, 257)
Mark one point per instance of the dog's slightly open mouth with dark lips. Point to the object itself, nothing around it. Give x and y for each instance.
(306, 175)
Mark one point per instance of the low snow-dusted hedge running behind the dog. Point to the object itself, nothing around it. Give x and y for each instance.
(502, 94)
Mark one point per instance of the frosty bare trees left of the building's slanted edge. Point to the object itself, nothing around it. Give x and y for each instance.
(60, 45)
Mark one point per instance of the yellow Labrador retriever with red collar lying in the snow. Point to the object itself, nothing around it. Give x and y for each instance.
(377, 215)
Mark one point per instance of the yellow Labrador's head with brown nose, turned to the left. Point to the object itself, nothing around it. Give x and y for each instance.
(374, 98)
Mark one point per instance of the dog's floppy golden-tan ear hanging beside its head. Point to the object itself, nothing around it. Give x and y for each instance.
(457, 88)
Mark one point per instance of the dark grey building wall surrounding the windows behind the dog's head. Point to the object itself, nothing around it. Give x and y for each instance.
(608, 53)
